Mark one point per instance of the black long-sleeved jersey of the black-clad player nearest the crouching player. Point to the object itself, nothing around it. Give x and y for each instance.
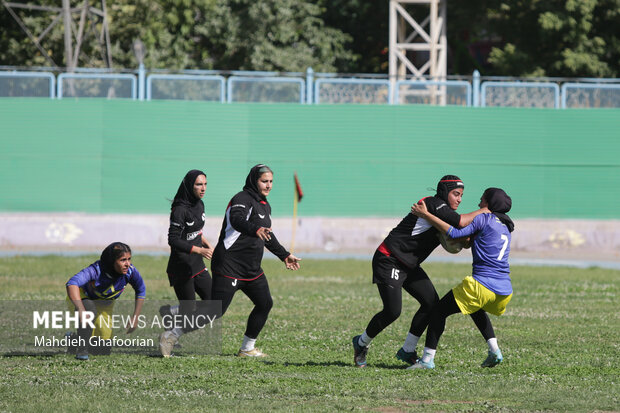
(186, 222)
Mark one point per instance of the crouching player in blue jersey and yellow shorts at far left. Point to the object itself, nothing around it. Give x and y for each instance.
(95, 289)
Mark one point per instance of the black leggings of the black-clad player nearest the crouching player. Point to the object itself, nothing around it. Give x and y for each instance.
(186, 291)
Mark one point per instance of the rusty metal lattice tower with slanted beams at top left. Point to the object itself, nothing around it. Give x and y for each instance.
(79, 23)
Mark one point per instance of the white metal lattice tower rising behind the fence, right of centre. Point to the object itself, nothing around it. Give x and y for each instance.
(418, 48)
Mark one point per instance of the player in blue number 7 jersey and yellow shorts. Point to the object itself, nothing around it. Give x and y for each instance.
(488, 289)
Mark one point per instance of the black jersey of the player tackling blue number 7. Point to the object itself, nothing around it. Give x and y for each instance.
(413, 239)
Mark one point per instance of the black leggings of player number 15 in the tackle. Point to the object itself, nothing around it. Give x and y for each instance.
(420, 287)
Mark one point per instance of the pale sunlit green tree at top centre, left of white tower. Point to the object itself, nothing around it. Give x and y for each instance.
(279, 35)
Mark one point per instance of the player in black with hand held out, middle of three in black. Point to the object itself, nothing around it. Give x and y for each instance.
(236, 264)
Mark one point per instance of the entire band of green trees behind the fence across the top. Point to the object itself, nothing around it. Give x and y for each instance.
(528, 37)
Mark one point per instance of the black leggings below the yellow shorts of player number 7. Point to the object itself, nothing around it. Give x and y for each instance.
(446, 307)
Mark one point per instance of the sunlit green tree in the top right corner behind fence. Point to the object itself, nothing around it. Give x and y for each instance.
(557, 38)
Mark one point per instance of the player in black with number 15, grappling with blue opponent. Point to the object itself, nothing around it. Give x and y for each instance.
(396, 266)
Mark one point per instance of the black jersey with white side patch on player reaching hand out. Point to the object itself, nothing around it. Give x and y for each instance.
(239, 250)
